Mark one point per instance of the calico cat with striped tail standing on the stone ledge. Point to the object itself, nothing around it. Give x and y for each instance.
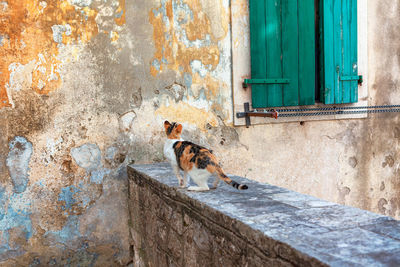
(197, 161)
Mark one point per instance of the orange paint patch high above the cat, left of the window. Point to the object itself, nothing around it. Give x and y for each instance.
(171, 51)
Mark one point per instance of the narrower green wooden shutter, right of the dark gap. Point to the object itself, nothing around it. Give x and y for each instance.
(339, 70)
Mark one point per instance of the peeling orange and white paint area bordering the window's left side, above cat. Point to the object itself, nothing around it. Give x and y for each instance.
(187, 39)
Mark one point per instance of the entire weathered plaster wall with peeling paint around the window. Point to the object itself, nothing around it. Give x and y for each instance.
(86, 84)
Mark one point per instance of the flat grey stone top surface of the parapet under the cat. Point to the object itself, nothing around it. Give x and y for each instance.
(325, 232)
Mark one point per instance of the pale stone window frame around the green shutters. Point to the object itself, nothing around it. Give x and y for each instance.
(241, 68)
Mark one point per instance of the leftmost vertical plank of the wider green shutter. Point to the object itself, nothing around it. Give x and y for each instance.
(258, 51)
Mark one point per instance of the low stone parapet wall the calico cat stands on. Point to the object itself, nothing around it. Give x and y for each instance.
(264, 224)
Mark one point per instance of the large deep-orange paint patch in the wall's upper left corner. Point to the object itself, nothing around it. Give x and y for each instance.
(32, 30)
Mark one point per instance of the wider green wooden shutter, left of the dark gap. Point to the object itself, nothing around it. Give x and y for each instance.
(282, 38)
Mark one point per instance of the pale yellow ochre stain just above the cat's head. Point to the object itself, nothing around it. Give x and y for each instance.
(183, 112)
